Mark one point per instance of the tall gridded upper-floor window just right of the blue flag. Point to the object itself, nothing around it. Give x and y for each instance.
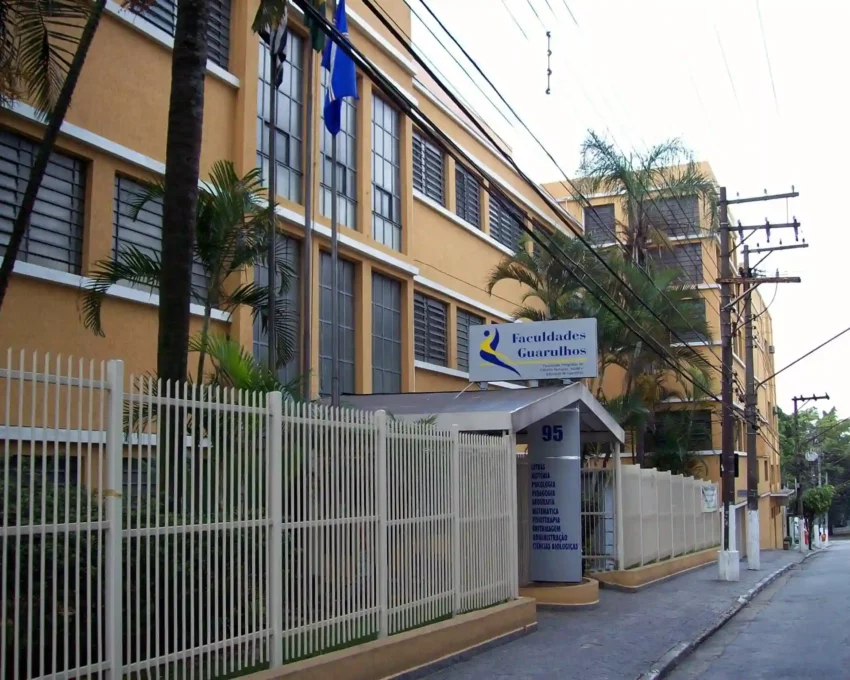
(386, 177)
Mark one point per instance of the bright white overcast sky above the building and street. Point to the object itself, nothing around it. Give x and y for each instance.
(646, 71)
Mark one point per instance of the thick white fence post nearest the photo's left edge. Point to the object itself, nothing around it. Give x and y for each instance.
(113, 501)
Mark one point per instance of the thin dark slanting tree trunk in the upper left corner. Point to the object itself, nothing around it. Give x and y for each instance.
(56, 118)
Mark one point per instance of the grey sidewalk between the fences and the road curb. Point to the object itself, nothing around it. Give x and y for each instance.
(624, 635)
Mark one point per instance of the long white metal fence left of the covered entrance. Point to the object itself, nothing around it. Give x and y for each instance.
(153, 529)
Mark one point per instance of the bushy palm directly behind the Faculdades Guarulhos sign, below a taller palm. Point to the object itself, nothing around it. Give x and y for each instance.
(553, 291)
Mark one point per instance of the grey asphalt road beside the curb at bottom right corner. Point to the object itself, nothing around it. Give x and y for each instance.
(799, 627)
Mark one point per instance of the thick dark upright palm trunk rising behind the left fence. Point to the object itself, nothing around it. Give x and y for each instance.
(182, 172)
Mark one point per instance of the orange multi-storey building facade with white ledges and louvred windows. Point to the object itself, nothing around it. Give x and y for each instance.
(419, 232)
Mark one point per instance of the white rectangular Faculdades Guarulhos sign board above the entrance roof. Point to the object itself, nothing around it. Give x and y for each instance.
(533, 351)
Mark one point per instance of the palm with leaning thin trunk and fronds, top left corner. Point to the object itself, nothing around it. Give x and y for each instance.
(41, 56)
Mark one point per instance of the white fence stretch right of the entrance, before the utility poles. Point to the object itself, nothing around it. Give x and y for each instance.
(663, 516)
